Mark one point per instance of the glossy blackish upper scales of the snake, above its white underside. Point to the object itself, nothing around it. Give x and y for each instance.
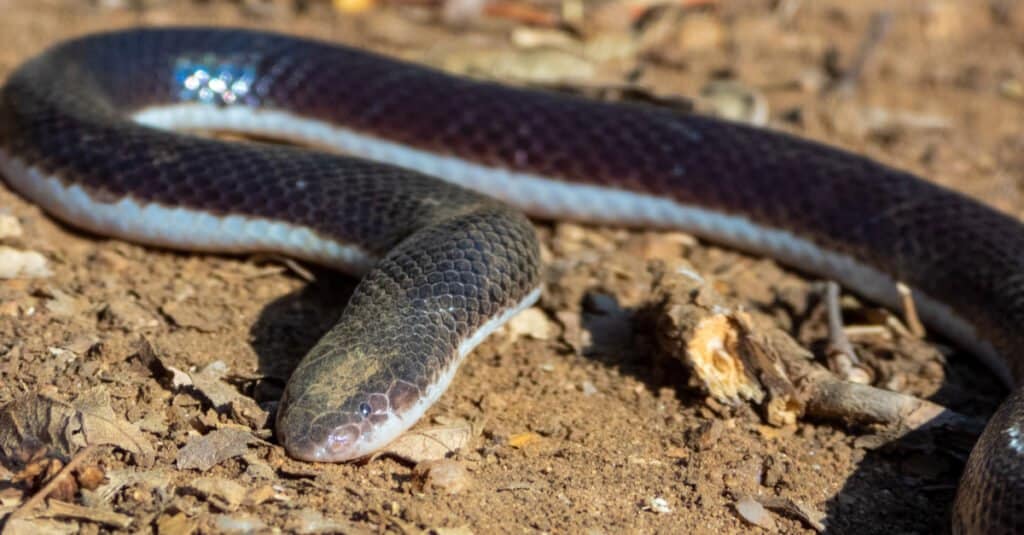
(64, 112)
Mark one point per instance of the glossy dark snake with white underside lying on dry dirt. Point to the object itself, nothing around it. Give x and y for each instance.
(418, 182)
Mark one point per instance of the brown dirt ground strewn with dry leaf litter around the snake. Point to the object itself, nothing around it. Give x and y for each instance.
(577, 425)
